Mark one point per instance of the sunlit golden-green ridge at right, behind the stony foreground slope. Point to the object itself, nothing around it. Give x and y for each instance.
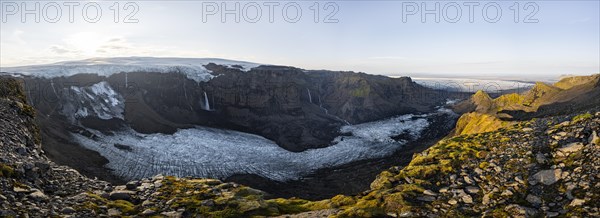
(569, 95)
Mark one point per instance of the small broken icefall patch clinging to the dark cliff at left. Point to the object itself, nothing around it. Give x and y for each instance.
(98, 100)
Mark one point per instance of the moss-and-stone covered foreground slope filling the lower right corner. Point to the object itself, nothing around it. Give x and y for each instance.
(545, 167)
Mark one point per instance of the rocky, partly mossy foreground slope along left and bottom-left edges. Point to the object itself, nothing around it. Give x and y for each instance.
(33, 186)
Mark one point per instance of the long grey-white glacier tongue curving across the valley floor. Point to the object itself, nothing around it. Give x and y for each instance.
(208, 152)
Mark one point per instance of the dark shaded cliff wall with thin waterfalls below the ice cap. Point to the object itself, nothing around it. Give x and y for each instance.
(297, 109)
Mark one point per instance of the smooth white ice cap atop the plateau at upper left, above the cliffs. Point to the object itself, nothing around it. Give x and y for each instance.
(193, 68)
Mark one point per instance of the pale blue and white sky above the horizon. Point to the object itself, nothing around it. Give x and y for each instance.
(551, 38)
